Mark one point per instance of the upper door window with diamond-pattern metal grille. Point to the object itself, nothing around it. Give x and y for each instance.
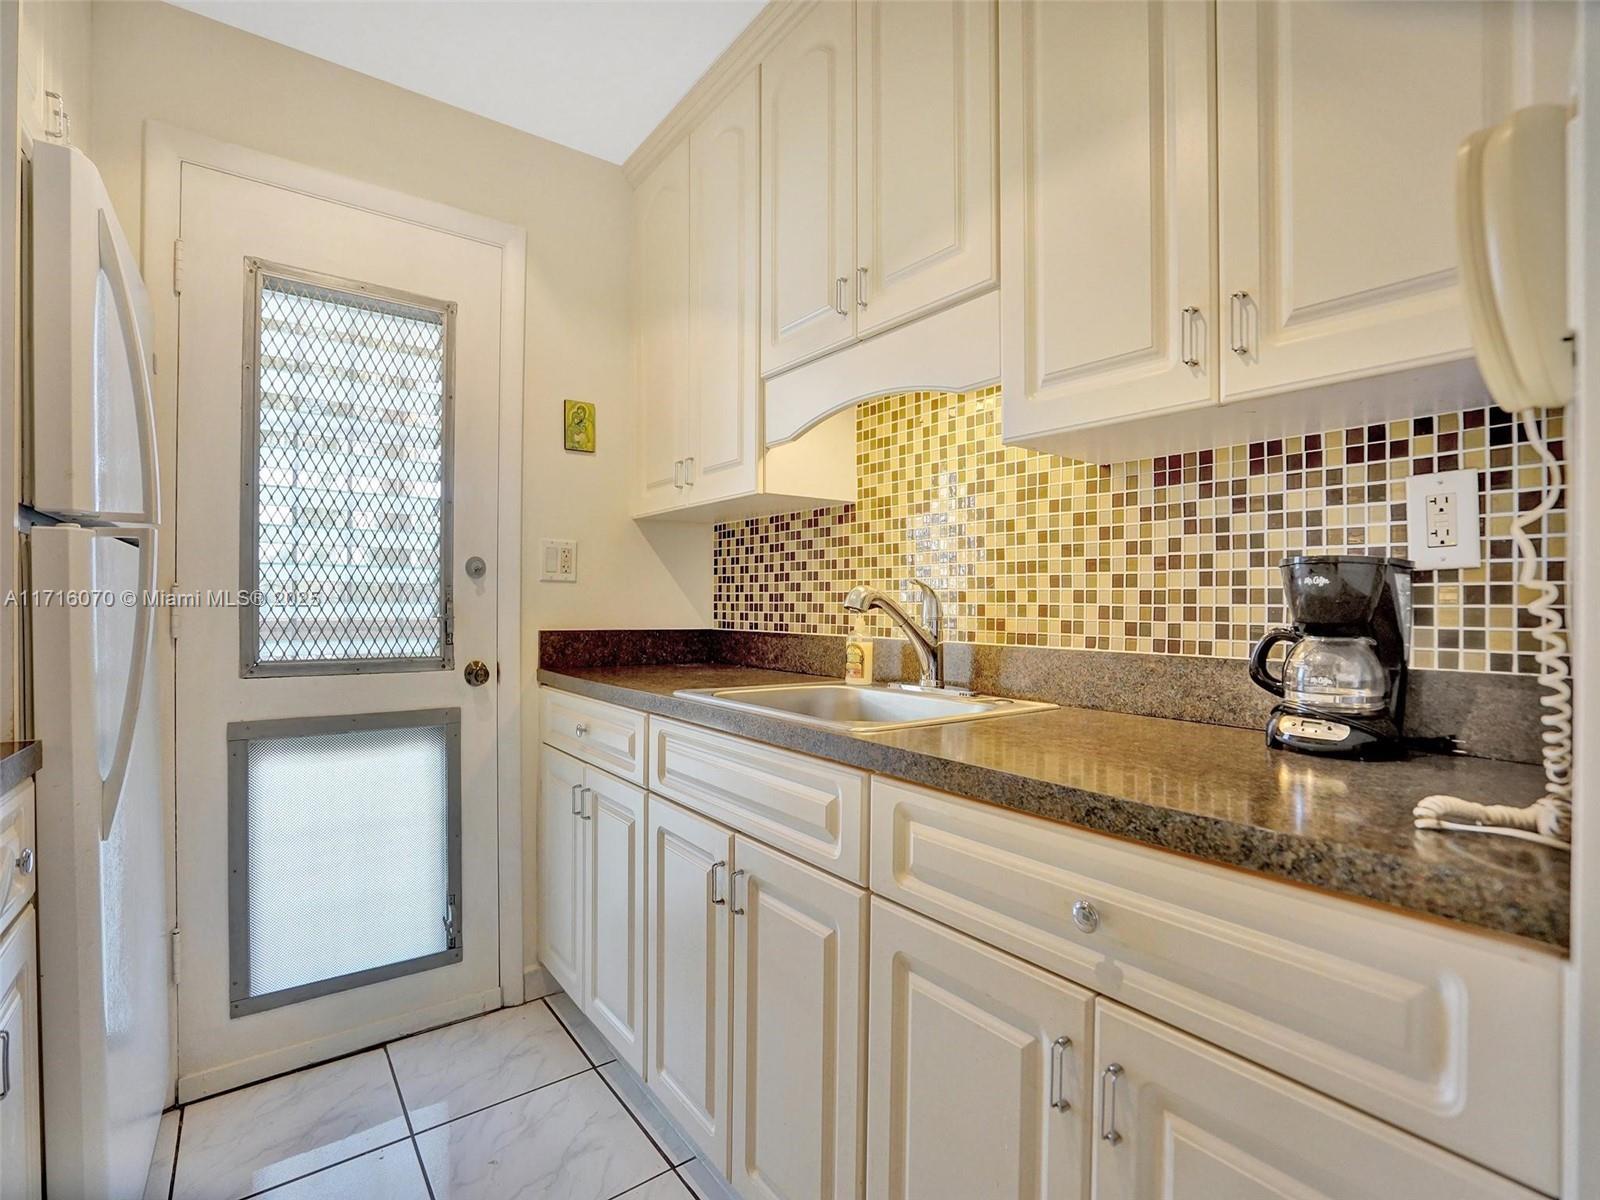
(346, 478)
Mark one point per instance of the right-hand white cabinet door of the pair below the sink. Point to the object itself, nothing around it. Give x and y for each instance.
(799, 1020)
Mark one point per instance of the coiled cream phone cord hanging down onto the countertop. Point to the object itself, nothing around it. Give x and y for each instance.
(1548, 820)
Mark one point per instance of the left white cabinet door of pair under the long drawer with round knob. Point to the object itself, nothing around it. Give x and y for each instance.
(978, 1071)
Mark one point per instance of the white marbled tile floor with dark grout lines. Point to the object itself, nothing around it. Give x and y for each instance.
(521, 1105)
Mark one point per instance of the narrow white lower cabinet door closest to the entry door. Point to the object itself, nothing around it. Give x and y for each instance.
(562, 871)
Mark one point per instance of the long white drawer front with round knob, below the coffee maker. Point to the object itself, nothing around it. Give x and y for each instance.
(1438, 1031)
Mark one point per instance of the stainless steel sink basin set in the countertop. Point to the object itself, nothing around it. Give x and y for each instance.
(863, 710)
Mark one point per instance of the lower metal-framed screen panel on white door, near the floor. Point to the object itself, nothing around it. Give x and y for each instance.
(345, 854)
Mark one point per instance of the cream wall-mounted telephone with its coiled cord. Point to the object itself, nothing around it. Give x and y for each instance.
(1511, 234)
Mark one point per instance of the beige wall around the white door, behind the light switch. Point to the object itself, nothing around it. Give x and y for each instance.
(159, 63)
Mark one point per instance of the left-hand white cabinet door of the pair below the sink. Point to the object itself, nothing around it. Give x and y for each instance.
(687, 1030)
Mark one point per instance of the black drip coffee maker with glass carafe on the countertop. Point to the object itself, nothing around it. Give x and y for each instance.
(1343, 679)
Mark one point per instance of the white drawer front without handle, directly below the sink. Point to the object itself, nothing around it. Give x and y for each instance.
(814, 810)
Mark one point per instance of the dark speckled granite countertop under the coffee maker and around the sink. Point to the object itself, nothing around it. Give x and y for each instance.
(1206, 791)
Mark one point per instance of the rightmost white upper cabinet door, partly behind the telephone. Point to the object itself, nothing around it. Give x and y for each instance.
(1338, 127)
